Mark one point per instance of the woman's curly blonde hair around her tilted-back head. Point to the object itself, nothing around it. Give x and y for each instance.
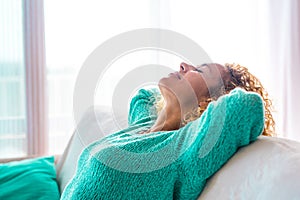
(239, 77)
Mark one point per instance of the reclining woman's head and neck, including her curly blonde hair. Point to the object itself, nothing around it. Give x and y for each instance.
(215, 80)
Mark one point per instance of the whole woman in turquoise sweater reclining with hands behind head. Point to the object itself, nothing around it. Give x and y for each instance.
(178, 150)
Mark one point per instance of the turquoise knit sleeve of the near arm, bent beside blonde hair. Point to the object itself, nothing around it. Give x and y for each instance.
(233, 121)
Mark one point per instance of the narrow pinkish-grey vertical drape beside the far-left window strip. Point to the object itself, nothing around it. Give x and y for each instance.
(35, 77)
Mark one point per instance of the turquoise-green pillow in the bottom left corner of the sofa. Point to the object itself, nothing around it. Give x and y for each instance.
(29, 179)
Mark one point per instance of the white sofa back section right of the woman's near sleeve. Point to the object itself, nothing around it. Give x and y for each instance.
(266, 169)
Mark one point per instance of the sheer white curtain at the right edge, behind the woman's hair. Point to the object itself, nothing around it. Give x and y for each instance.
(284, 64)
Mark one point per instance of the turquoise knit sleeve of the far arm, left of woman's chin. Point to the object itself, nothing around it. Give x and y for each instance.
(142, 105)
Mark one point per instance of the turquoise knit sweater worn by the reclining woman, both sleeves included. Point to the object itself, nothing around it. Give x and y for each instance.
(169, 164)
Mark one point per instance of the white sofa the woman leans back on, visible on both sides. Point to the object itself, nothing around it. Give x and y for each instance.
(266, 169)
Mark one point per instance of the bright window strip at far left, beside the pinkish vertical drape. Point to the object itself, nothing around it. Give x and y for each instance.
(13, 138)
